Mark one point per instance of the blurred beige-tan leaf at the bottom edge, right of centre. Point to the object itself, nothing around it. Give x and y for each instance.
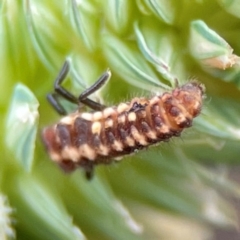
(166, 225)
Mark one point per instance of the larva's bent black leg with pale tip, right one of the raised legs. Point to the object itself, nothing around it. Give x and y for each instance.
(83, 98)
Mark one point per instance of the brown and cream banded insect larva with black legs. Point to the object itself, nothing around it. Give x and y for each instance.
(101, 136)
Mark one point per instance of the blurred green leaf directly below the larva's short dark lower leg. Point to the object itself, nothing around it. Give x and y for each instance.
(106, 204)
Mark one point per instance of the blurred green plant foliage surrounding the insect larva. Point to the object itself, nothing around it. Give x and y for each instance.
(183, 189)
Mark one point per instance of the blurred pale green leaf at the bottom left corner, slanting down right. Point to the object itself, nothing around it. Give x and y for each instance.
(45, 211)
